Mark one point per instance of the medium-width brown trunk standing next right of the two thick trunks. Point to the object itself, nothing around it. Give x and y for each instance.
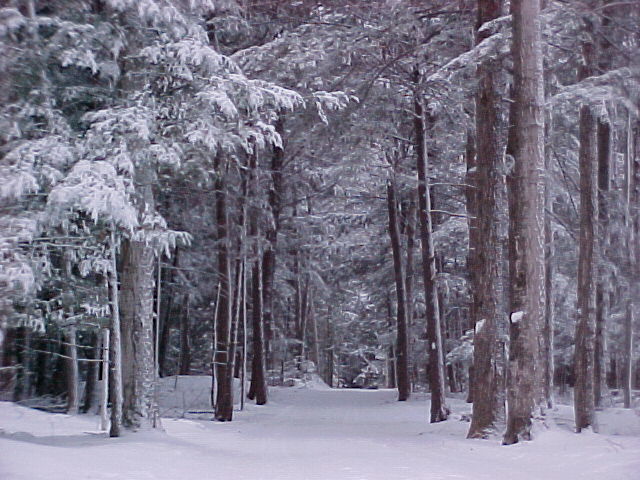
(586, 322)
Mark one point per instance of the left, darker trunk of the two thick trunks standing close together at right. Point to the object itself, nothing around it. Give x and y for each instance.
(488, 395)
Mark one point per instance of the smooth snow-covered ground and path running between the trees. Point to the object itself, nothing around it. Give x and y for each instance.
(310, 433)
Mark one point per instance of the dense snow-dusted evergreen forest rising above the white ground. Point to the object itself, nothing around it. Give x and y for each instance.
(435, 196)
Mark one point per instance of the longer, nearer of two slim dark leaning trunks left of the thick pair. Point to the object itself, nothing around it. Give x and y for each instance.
(435, 366)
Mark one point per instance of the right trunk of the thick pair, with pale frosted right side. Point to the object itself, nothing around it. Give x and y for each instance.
(526, 226)
